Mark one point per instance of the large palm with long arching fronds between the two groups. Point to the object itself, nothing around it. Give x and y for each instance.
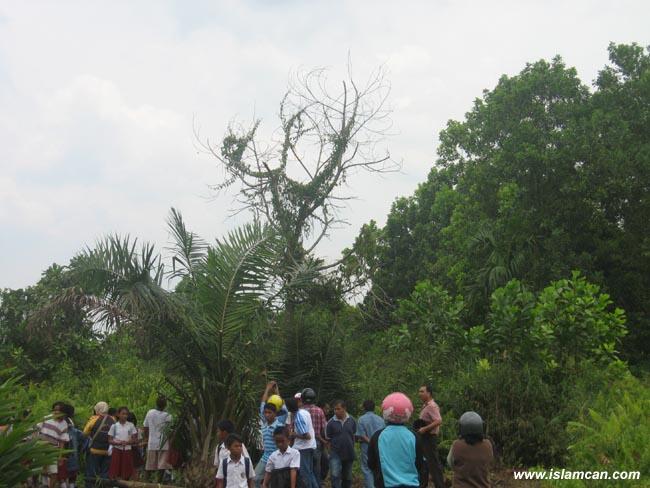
(203, 330)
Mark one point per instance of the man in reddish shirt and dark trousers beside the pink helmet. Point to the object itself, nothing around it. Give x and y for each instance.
(430, 415)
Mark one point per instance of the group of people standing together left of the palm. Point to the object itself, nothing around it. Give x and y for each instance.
(112, 444)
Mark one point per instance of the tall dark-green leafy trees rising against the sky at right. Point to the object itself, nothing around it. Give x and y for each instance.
(541, 178)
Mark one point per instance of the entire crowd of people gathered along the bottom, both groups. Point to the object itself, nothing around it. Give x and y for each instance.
(301, 444)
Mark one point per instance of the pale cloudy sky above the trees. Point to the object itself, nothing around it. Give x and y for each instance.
(99, 101)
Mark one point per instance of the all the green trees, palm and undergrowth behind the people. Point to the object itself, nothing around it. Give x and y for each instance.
(515, 280)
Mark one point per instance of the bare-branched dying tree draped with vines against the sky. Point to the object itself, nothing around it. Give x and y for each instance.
(295, 181)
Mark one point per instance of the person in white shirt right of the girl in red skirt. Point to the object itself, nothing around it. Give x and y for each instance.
(155, 424)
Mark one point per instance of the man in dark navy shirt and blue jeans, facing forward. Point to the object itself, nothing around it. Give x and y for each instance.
(340, 433)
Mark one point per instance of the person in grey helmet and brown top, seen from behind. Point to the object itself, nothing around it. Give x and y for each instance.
(471, 455)
